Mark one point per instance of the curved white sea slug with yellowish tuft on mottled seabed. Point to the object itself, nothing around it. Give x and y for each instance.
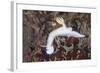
(62, 31)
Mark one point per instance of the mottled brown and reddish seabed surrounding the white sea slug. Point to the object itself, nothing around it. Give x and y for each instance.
(38, 24)
